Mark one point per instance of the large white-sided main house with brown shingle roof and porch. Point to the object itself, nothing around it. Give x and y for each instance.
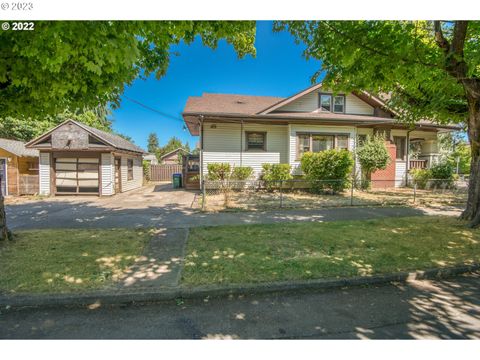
(248, 130)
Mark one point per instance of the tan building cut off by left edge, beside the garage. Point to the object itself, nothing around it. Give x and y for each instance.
(18, 168)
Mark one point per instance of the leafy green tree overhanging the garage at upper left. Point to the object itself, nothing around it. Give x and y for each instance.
(84, 64)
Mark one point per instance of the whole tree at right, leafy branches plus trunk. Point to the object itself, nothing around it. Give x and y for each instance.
(431, 69)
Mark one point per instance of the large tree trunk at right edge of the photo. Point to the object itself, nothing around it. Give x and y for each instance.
(472, 211)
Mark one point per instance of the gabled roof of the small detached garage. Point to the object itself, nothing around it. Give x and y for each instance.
(113, 140)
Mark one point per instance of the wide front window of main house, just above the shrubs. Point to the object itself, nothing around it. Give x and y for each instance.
(320, 142)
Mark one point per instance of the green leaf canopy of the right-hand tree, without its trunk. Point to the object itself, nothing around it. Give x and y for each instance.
(398, 58)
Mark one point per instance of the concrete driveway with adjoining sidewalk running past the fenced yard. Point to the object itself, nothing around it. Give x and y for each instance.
(161, 206)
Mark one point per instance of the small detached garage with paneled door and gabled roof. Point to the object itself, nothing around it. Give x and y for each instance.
(76, 159)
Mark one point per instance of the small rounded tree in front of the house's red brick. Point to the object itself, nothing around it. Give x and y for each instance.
(372, 155)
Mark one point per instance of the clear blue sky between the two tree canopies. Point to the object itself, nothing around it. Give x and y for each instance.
(278, 70)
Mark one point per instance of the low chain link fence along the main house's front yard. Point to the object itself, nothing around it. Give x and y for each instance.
(263, 195)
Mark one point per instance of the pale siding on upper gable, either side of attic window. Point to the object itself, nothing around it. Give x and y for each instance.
(309, 103)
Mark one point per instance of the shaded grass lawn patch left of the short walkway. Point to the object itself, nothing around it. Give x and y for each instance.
(68, 260)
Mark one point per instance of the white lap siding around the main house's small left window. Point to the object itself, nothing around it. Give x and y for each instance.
(224, 143)
